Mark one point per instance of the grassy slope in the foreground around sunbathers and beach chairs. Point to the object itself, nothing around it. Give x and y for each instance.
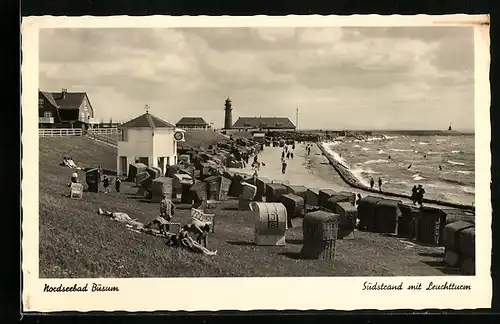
(76, 242)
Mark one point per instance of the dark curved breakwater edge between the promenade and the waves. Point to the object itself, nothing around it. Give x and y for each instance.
(353, 182)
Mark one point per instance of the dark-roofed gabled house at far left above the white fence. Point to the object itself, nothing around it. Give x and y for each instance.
(64, 109)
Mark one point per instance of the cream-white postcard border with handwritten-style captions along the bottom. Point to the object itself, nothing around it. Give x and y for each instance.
(303, 293)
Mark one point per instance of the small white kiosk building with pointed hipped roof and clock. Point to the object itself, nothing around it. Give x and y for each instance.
(147, 139)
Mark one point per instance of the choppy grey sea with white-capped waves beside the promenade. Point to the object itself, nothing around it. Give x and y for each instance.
(443, 165)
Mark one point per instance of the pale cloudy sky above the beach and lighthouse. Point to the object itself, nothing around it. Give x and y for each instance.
(339, 78)
